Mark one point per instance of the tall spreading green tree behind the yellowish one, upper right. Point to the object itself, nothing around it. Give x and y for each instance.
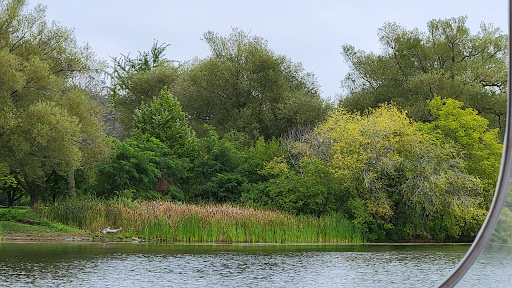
(414, 66)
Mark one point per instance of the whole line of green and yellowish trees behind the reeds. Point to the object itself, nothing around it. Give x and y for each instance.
(412, 151)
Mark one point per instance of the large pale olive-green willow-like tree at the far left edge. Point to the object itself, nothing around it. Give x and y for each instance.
(48, 122)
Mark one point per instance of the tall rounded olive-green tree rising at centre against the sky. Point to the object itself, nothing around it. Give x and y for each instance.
(245, 86)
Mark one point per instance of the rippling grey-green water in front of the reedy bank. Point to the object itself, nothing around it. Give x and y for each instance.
(144, 265)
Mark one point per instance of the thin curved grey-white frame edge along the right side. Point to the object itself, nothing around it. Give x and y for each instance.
(502, 187)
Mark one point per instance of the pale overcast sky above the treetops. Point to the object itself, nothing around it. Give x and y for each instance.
(309, 32)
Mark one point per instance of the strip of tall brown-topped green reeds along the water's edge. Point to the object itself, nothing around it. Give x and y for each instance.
(167, 221)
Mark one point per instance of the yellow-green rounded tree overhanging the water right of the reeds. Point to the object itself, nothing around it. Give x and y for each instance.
(401, 182)
